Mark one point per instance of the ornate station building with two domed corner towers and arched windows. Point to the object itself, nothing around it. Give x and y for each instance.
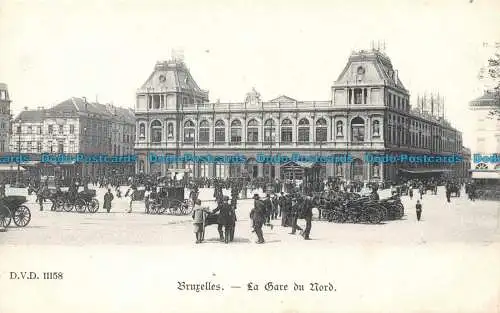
(369, 113)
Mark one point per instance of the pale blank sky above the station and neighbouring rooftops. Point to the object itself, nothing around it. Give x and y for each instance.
(105, 50)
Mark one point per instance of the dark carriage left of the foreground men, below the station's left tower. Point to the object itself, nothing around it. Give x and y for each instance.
(170, 200)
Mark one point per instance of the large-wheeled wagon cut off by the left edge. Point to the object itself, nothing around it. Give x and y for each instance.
(13, 208)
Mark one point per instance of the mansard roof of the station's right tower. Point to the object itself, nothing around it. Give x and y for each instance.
(377, 67)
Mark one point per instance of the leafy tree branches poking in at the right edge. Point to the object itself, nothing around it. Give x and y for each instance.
(491, 73)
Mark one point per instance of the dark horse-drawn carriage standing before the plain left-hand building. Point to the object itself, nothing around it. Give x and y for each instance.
(81, 202)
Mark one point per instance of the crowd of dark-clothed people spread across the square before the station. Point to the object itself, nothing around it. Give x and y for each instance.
(286, 200)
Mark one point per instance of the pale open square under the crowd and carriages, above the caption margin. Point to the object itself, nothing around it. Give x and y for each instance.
(458, 221)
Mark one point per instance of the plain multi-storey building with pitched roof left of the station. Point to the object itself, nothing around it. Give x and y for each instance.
(75, 126)
